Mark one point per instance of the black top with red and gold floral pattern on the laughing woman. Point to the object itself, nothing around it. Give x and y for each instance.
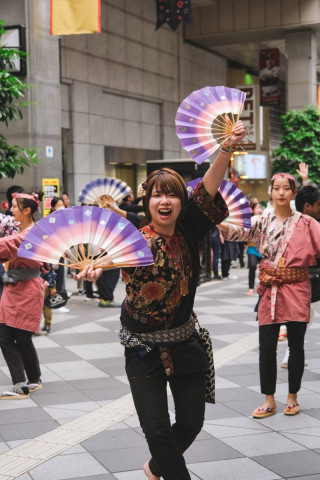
(161, 296)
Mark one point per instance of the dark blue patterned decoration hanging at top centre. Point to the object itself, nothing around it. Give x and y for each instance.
(173, 12)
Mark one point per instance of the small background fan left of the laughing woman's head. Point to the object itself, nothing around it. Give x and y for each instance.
(104, 190)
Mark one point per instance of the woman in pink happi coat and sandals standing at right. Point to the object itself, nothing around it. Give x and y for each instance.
(288, 242)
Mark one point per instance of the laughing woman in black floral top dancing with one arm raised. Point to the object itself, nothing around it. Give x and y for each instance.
(161, 297)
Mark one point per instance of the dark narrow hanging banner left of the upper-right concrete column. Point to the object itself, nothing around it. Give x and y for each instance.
(269, 76)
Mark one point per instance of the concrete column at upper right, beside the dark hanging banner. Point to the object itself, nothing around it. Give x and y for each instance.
(301, 50)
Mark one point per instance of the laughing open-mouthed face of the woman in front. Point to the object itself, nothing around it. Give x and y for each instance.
(164, 209)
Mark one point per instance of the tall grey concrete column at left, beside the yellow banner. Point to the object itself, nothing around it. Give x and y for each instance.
(44, 74)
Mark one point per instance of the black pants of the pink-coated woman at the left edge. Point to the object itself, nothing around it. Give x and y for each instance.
(20, 354)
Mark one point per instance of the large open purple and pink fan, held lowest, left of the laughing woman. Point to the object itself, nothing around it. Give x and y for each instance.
(105, 232)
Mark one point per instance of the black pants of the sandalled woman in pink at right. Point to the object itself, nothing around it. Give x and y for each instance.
(268, 339)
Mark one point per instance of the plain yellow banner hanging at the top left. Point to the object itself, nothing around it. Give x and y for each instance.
(70, 17)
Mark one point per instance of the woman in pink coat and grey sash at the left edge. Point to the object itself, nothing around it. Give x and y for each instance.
(21, 303)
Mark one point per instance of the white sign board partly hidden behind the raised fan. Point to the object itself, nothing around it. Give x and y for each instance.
(250, 117)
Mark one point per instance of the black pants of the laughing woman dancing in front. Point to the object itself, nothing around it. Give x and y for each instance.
(168, 442)
